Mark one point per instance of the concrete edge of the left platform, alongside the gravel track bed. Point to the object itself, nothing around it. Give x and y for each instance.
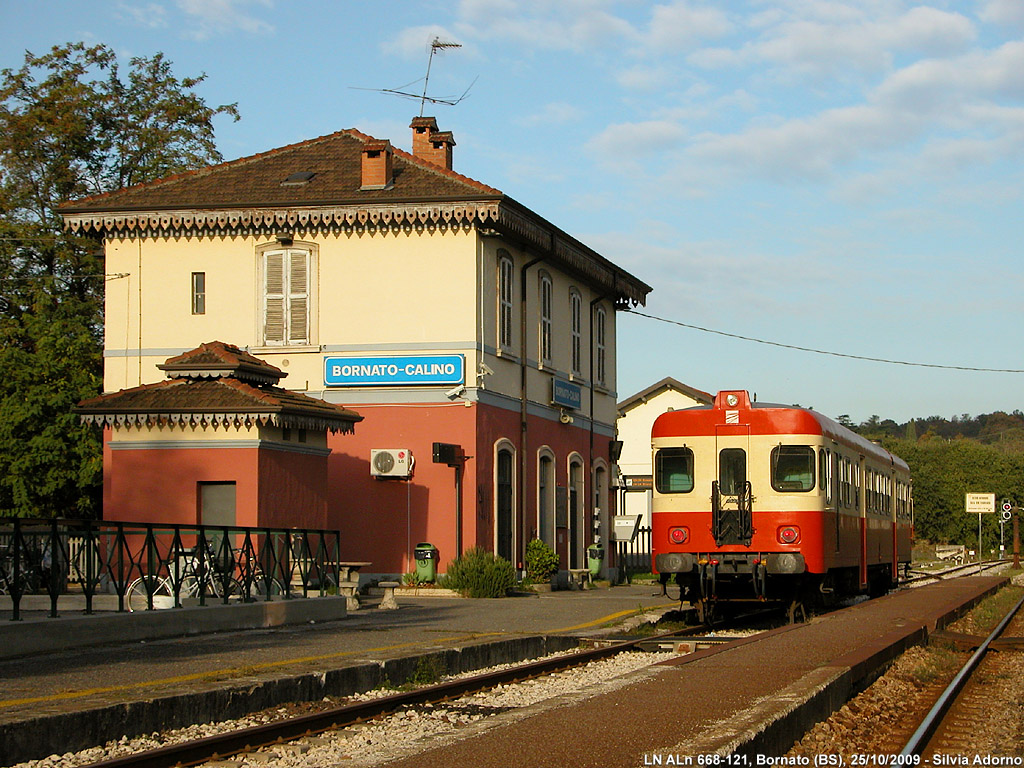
(57, 735)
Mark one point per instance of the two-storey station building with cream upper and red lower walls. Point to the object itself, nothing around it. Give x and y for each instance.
(444, 313)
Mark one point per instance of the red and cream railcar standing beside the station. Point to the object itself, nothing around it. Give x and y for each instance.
(763, 502)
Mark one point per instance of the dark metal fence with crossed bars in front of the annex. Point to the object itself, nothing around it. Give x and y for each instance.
(150, 566)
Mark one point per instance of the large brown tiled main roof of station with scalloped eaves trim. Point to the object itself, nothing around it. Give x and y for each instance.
(317, 186)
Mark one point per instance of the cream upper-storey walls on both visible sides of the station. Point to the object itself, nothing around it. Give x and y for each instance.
(382, 291)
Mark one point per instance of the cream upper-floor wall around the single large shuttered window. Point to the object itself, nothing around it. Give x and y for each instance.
(378, 290)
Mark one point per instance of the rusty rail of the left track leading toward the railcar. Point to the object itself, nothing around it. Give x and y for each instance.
(247, 740)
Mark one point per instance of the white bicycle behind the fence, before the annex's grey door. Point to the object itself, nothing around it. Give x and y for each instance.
(189, 578)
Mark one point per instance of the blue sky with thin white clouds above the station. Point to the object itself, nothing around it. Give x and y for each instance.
(837, 176)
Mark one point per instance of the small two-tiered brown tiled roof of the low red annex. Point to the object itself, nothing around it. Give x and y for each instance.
(222, 386)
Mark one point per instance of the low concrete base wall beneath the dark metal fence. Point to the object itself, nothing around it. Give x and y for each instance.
(66, 633)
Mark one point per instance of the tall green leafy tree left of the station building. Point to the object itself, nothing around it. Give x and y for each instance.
(72, 126)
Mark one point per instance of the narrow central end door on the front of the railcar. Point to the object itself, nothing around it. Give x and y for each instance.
(733, 523)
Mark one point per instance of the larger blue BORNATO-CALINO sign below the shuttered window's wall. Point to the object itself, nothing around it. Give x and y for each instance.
(390, 372)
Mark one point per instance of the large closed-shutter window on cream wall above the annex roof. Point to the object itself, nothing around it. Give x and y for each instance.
(287, 296)
